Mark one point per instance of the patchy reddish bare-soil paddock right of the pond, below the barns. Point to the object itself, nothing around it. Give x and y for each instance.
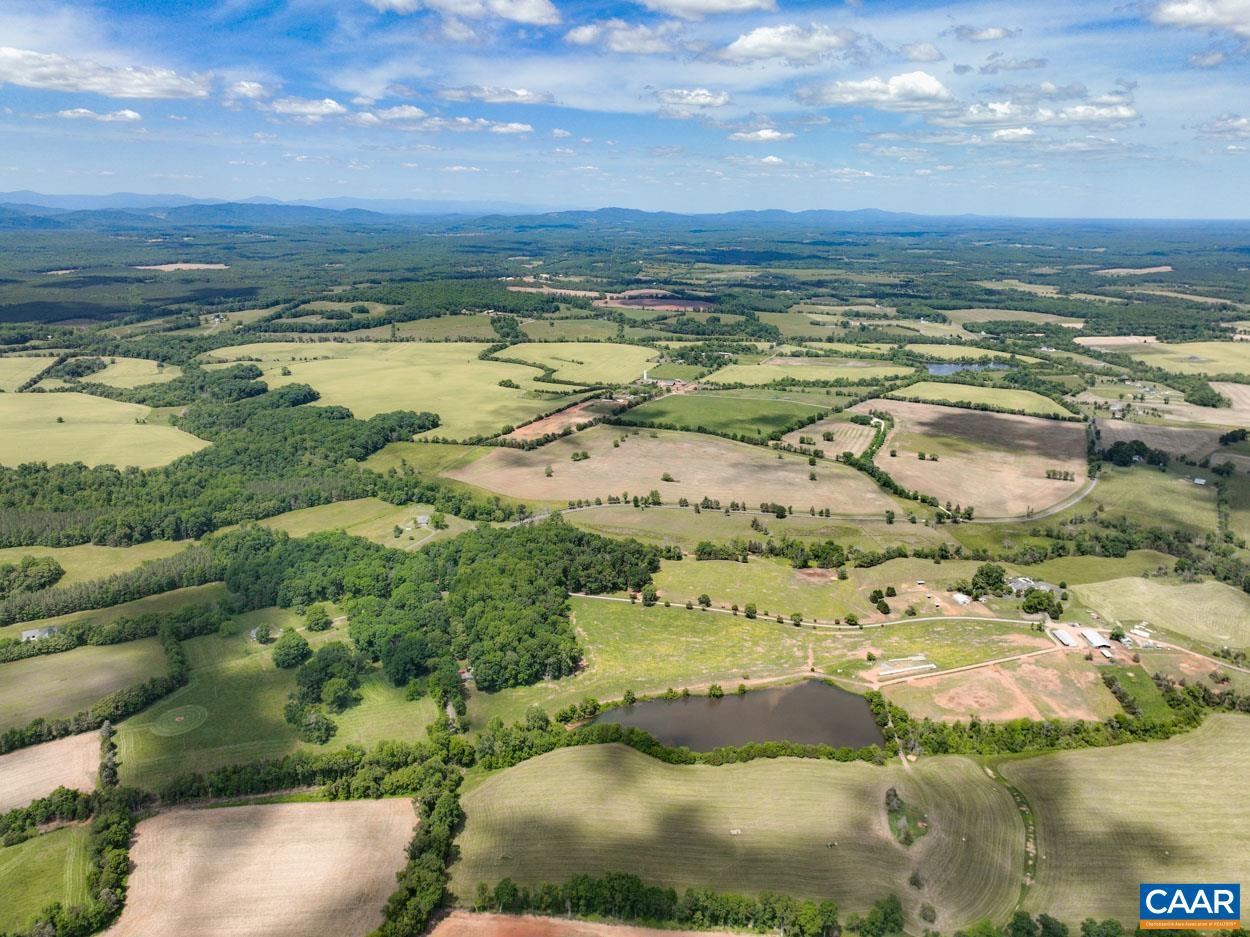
(1061, 685)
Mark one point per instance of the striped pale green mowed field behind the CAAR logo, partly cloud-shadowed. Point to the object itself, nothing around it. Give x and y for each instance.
(1109, 819)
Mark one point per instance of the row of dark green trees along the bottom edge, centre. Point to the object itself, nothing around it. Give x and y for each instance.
(626, 898)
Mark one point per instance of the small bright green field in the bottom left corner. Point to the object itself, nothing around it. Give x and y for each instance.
(52, 868)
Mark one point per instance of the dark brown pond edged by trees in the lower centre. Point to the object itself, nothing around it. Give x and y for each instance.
(809, 713)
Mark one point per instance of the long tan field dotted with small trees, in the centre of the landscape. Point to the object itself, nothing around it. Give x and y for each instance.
(702, 467)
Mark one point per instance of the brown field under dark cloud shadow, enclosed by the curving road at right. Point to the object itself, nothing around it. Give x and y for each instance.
(996, 462)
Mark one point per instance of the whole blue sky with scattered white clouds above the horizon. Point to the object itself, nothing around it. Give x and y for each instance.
(1047, 109)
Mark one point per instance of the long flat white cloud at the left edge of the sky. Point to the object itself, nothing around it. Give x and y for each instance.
(58, 73)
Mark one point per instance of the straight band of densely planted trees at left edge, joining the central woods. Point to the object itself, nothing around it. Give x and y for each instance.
(194, 567)
